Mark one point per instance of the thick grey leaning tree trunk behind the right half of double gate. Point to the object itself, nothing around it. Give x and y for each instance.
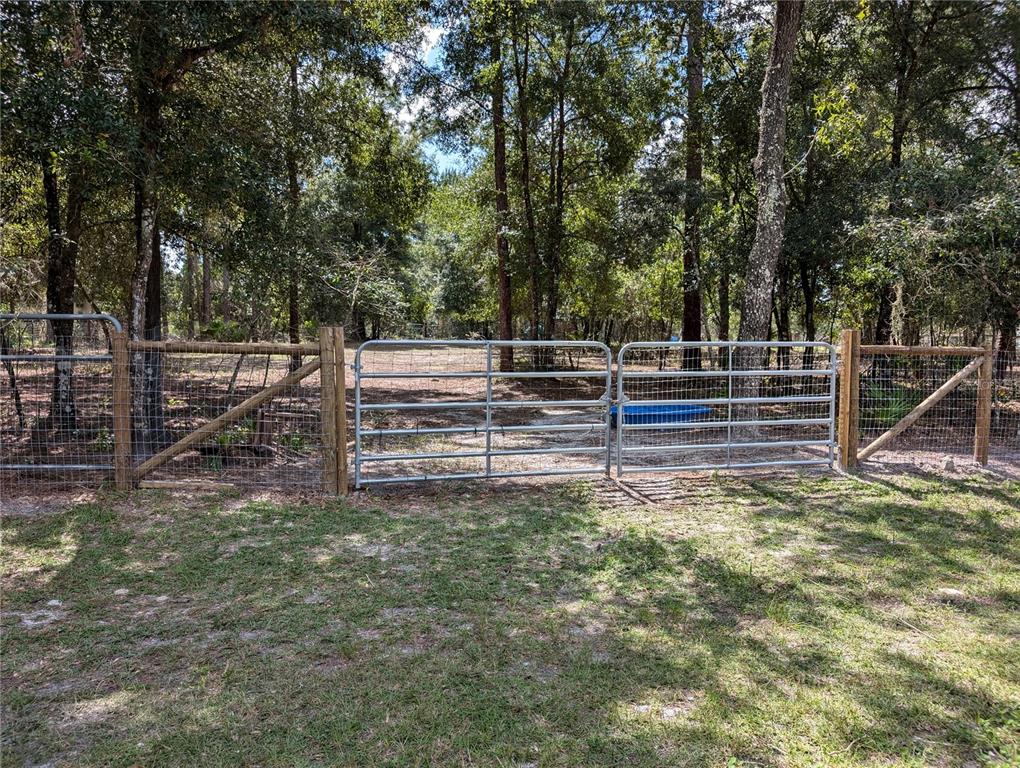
(769, 166)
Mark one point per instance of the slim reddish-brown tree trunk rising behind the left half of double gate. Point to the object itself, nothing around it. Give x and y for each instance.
(502, 207)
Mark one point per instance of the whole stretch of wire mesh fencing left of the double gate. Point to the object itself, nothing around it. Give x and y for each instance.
(59, 411)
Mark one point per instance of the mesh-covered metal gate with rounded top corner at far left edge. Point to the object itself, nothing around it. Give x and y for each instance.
(57, 418)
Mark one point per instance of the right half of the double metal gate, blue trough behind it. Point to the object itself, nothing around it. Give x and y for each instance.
(713, 405)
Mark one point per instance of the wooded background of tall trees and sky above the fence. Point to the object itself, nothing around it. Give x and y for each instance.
(542, 170)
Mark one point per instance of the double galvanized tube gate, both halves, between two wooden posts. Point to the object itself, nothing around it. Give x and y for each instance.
(680, 406)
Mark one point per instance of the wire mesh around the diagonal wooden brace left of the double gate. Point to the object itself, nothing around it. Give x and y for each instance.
(278, 445)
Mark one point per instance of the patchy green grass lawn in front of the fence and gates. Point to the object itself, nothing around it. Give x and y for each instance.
(785, 622)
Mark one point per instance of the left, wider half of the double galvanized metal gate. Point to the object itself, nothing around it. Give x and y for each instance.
(427, 411)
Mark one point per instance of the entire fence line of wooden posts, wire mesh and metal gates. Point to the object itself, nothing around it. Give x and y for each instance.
(275, 416)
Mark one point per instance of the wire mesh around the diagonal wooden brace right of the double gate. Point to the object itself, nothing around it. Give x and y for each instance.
(893, 386)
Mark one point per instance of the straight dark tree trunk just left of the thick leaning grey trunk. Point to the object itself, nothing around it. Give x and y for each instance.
(692, 329)
